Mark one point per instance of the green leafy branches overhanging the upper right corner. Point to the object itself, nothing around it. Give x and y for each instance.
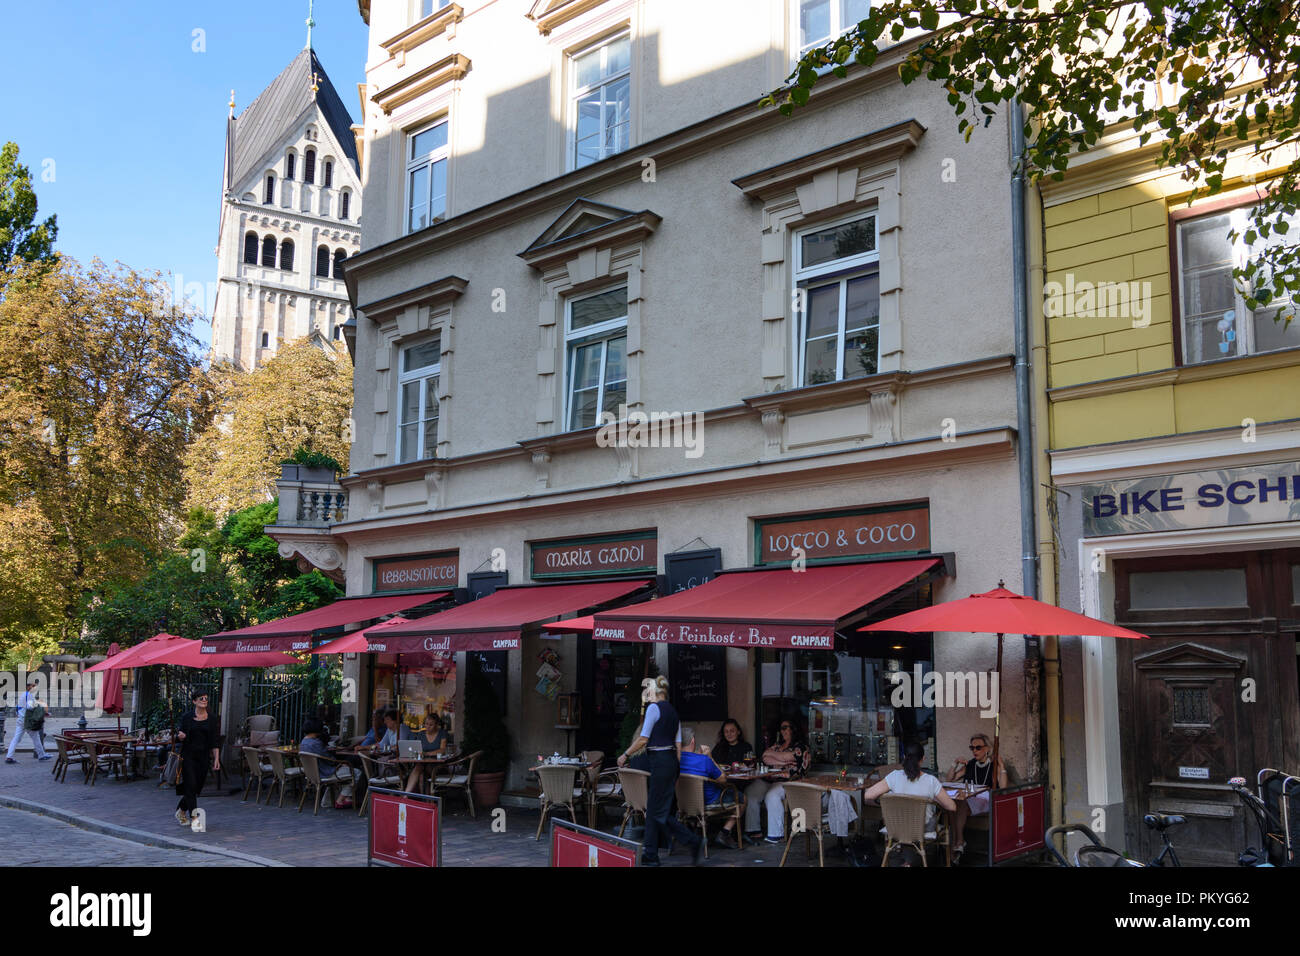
(1207, 77)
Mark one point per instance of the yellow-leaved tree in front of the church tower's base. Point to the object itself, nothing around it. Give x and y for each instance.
(300, 400)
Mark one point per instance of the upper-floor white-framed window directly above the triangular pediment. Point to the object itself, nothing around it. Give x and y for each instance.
(600, 101)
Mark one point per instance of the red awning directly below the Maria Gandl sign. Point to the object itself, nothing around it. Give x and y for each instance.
(495, 622)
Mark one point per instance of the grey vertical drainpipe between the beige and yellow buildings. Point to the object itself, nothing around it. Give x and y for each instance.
(1025, 444)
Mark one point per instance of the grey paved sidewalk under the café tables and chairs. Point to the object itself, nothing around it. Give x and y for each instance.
(335, 838)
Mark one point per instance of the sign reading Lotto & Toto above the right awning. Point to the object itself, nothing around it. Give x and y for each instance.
(844, 535)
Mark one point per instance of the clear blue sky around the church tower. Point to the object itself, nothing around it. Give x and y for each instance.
(135, 119)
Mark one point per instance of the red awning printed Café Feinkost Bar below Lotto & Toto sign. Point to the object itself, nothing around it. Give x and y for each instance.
(762, 609)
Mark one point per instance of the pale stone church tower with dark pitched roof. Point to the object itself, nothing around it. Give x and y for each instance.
(291, 217)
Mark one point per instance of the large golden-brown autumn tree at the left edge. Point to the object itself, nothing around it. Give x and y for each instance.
(101, 392)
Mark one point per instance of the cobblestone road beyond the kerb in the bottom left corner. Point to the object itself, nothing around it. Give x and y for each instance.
(32, 840)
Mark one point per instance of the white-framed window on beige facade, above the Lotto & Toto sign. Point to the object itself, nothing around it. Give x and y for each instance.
(838, 301)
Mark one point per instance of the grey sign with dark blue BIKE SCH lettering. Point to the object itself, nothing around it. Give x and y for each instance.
(1260, 495)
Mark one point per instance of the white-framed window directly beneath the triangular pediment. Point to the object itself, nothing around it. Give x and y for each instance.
(596, 344)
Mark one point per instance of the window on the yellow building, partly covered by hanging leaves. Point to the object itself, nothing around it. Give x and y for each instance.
(1215, 321)
